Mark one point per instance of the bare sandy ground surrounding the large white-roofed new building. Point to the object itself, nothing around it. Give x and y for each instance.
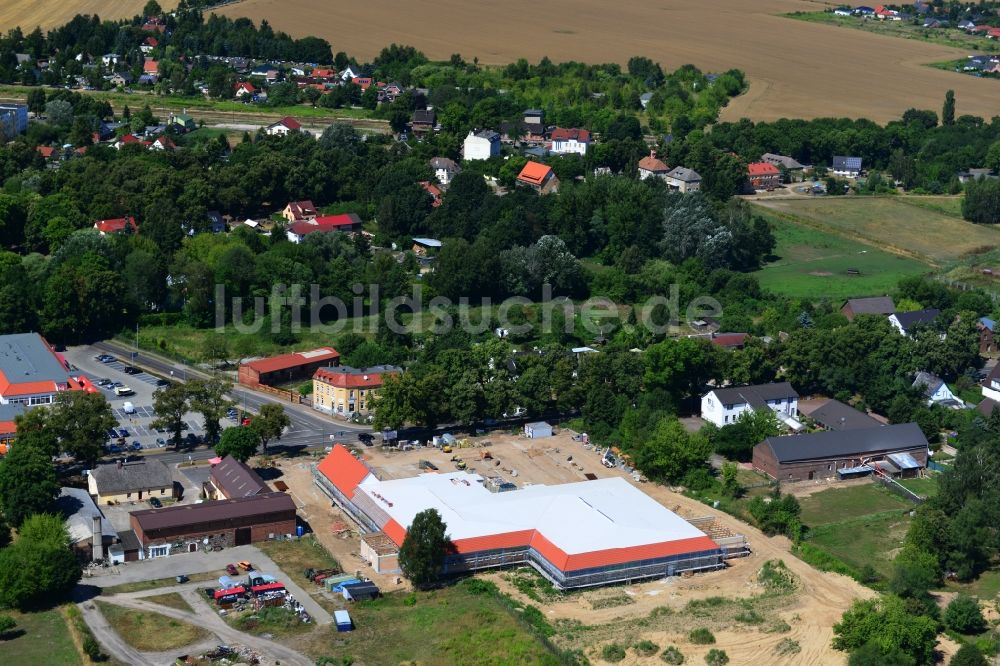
(811, 611)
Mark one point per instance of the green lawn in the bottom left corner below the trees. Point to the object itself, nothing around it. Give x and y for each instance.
(40, 639)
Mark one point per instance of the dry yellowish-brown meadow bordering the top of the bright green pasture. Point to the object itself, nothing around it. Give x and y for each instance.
(922, 230)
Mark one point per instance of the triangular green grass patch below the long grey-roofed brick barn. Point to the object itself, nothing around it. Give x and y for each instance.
(862, 541)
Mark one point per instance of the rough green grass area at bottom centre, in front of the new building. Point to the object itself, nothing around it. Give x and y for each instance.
(446, 626)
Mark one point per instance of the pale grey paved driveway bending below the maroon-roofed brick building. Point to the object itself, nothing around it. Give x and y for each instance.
(189, 563)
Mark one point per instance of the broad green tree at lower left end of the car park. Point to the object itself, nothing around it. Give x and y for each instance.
(81, 421)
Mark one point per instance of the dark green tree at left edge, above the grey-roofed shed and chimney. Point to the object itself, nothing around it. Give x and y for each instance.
(28, 483)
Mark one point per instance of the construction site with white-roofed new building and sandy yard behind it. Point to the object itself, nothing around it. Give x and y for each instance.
(514, 501)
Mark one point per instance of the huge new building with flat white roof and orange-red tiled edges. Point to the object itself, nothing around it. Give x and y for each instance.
(575, 534)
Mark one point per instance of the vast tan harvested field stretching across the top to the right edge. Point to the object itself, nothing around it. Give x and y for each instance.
(797, 69)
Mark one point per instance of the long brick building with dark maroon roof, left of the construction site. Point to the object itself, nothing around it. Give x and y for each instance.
(234, 522)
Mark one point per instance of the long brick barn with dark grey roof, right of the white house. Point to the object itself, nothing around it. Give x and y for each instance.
(896, 450)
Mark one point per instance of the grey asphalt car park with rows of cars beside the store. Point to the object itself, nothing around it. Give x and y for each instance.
(137, 422)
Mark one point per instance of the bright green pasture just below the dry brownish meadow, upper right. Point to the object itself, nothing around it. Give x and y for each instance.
(813, 264)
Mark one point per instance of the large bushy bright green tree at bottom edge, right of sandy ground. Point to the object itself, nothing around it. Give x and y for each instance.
(885, 622)
